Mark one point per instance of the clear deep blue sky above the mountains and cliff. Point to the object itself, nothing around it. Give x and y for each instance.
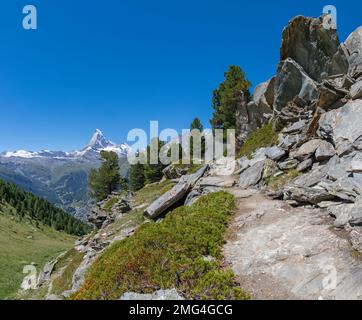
(117, 64)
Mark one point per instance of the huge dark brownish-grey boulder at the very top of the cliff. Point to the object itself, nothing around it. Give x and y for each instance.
(315, 48)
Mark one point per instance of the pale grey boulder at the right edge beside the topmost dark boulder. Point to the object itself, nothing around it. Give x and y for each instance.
(353, 44)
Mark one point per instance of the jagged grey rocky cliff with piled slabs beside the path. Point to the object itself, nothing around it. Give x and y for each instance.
(317, 109)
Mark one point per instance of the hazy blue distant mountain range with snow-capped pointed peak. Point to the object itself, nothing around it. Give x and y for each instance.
(58, 176)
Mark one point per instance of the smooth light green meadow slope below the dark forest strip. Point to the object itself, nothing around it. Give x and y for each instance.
(23, 243)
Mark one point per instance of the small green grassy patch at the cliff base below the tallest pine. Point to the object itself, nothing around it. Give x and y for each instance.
(261, 138)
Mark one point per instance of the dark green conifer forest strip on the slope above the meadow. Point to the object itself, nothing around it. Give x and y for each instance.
(26, 205)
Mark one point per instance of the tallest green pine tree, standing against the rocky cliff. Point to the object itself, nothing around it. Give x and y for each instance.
(226, 97)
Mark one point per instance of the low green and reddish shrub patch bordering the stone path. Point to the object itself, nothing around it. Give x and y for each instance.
(170, 254)
